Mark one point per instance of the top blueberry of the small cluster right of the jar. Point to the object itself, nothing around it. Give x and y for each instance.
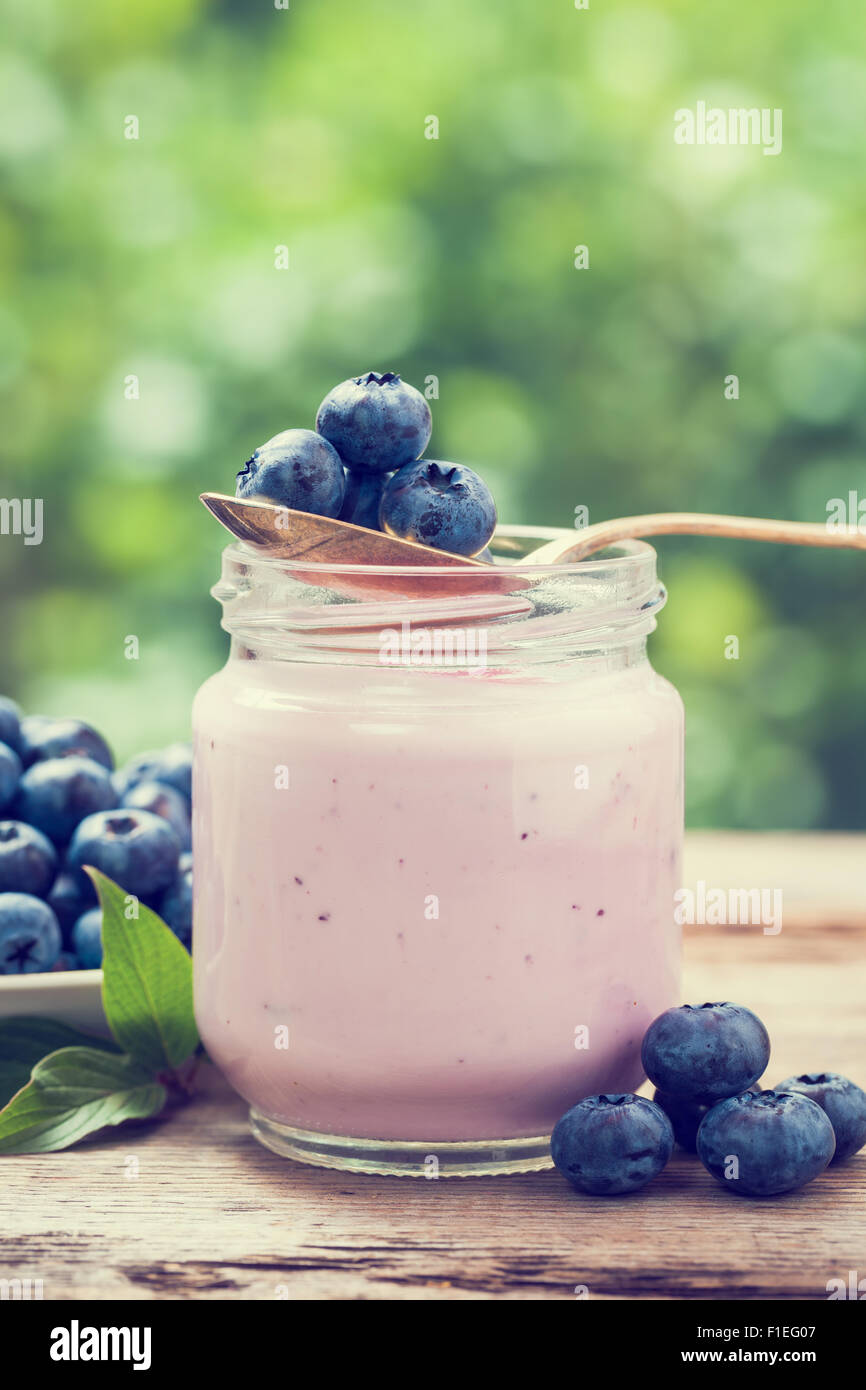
(705, 1053)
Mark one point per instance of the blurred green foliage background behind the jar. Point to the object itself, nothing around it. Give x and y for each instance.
(454, 258)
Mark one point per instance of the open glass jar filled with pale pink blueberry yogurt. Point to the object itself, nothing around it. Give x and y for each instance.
(439, 821)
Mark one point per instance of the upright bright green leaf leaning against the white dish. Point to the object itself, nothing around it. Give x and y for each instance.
(147, 983)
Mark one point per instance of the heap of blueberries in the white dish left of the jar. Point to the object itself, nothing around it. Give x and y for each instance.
(67, 807)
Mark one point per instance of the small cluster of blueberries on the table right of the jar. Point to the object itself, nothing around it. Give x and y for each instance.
(705, 1063)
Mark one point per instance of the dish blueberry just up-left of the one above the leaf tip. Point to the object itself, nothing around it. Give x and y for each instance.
(58, 794)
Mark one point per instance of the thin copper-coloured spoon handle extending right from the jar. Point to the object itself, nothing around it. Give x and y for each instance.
(591, 539)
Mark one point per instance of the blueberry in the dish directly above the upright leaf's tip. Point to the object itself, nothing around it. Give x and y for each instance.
(136, 849)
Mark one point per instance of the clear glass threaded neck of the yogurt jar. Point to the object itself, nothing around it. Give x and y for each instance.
(508, 618)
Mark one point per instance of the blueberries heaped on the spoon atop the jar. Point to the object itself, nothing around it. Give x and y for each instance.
(363, 465)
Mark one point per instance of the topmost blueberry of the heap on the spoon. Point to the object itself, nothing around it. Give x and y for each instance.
(377, 422)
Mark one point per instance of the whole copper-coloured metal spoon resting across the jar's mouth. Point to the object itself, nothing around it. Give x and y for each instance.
(301, 536)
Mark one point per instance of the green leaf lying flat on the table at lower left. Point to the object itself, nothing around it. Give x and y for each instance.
(74, 1093)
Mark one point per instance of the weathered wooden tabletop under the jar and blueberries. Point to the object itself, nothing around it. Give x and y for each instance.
(194, 1209)
